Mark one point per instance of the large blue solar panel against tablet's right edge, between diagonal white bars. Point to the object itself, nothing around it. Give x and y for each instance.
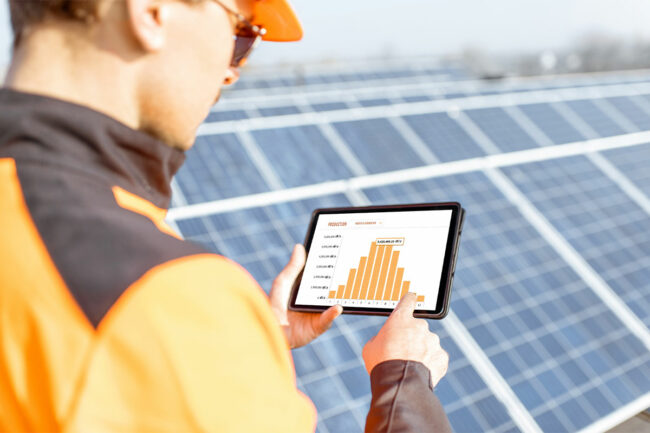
(560, 348)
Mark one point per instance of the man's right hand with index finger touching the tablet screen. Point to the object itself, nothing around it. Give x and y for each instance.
(408, 338)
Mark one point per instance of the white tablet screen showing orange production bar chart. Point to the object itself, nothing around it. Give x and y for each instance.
(372, 260)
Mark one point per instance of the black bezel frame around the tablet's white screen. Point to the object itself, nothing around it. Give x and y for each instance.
(448, 267)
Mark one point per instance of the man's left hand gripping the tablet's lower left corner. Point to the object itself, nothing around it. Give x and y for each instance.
(300, 328)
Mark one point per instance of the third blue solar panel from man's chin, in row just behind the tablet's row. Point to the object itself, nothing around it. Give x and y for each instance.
(373, 140)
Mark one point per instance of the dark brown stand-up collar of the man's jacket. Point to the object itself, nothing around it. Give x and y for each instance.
(135, 159)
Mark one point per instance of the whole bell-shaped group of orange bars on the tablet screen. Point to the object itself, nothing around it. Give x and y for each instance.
(376, 278)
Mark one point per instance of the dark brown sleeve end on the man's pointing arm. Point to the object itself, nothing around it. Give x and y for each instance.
(403, 400)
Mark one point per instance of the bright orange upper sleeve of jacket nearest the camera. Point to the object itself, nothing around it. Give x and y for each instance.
(192, 346)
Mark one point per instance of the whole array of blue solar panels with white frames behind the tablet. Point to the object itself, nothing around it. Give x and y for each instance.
(549, 318)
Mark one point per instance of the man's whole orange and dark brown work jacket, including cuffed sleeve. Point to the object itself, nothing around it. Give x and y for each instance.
(110, 322)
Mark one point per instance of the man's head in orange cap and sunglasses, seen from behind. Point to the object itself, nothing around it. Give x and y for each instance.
(157, 65)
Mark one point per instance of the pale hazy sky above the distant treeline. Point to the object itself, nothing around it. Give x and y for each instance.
(358, 29)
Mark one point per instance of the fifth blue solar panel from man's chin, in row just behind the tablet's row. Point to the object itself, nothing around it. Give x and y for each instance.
(501, 129)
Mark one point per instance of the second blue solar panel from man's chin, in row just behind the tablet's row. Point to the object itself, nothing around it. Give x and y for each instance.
(301, 155)
